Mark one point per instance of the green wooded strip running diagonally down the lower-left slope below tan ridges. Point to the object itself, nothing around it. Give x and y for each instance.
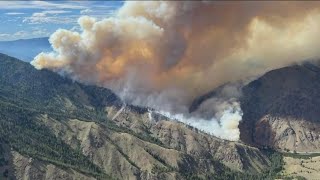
(19, 130)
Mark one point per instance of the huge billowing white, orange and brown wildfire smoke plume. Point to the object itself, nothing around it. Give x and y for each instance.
(164, 54)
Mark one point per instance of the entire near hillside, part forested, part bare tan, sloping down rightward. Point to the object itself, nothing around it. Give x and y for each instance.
(54, 128)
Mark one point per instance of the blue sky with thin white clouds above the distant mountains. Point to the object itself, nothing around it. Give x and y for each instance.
(31, 19)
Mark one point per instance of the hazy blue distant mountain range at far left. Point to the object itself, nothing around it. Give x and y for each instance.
(25, 49)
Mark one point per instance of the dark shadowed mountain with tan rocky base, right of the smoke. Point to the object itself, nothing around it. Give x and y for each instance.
(281, 109)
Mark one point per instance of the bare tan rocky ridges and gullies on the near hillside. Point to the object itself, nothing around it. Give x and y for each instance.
(132, 146)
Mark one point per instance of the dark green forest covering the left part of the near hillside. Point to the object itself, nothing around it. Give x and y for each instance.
(26, 93)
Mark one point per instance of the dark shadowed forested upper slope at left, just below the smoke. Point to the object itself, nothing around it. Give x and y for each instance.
(45, 90)
